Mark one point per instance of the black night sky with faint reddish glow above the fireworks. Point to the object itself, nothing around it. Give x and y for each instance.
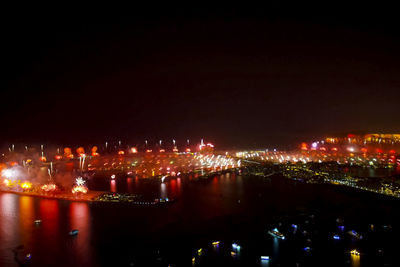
(239, 76)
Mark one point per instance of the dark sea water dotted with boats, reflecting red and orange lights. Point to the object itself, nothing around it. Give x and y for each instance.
(117, 234)
